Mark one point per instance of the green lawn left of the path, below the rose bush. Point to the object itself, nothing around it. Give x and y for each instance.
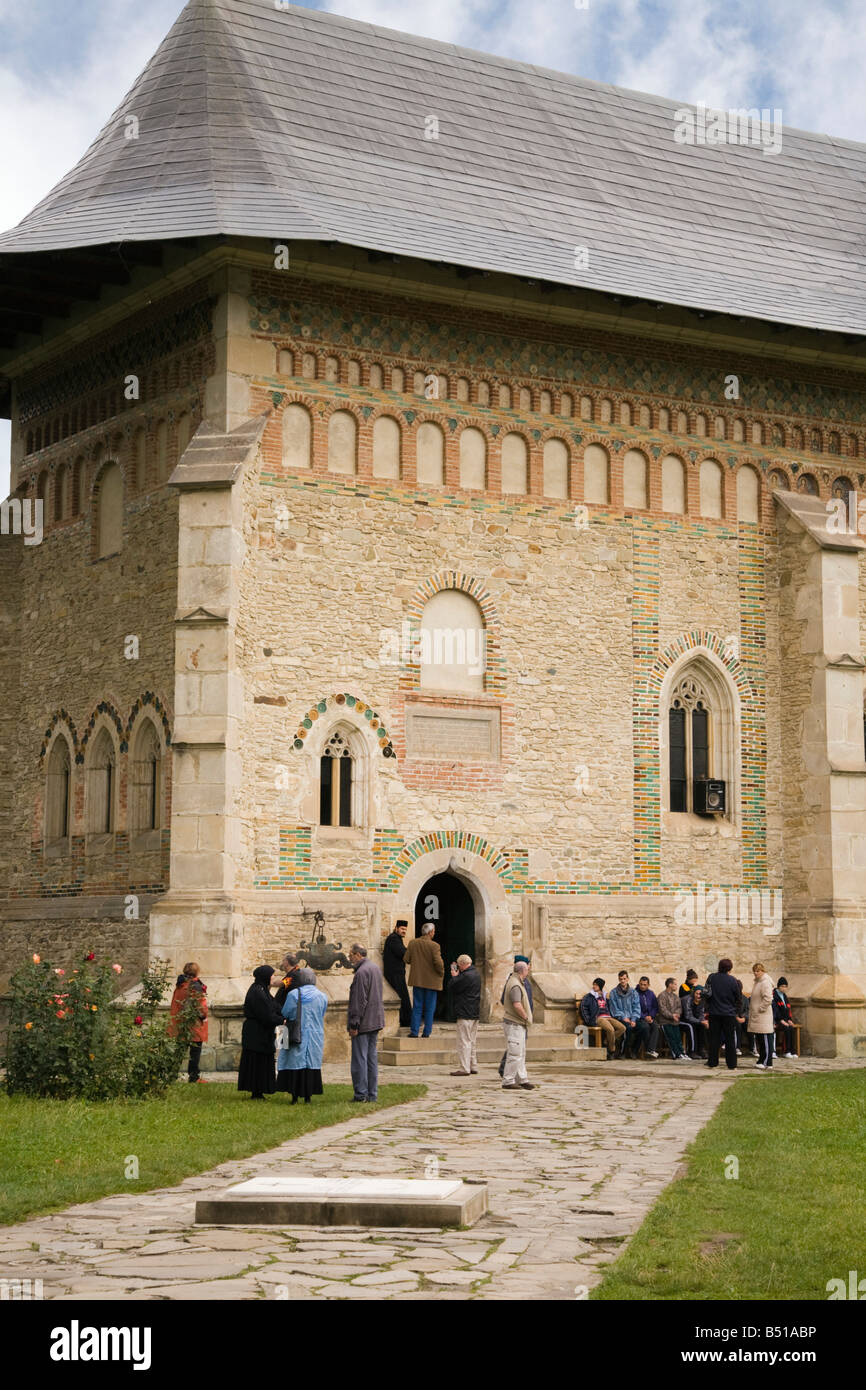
(59, 1153)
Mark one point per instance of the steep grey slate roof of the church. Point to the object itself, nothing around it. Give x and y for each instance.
(294, 124)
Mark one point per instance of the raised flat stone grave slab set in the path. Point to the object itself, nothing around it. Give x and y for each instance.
(276, 1200)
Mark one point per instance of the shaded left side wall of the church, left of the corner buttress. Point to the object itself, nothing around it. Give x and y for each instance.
(95, 637)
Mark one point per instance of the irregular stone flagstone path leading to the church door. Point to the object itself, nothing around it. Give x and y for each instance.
(564, 1192)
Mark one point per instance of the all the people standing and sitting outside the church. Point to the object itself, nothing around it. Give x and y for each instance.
(696, 1020)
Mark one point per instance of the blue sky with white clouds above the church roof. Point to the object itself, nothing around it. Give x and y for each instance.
(65, 69)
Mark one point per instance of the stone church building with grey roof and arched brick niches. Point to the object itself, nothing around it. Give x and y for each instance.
(436, 496)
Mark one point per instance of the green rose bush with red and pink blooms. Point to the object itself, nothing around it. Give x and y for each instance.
(70, 1036)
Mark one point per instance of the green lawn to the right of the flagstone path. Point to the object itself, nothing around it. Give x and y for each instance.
(792, 1221)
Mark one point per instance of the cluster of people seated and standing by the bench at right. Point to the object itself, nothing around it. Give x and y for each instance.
(705, 1015)
